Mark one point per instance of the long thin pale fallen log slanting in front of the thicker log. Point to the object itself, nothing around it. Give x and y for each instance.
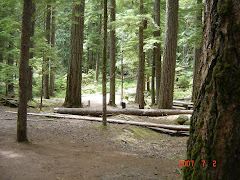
(145, 124)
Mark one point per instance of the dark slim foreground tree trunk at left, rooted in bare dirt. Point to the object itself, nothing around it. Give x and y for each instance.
(23, 68)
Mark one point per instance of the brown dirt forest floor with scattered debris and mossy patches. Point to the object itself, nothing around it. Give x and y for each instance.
(75, 149)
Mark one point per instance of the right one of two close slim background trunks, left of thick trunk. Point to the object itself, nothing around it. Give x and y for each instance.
(52, 67)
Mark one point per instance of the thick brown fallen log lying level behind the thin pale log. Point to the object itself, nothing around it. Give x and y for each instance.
(138, 112)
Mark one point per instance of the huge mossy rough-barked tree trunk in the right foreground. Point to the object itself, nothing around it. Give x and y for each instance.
(214, 133)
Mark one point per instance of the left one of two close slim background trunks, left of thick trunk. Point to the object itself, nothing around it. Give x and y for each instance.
(46, 62)
